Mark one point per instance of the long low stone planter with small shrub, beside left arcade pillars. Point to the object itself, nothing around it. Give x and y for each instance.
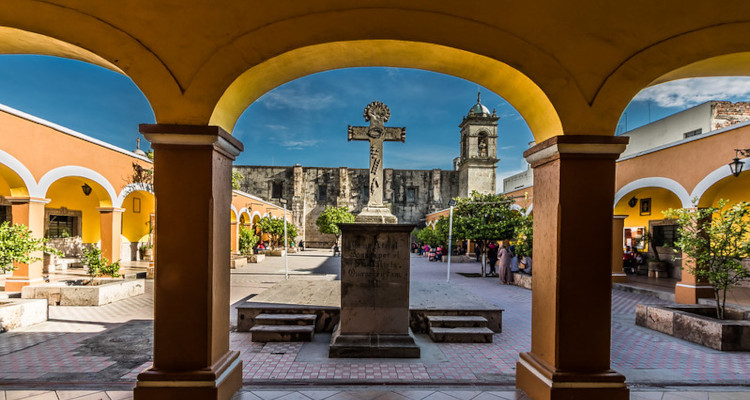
(64, 293)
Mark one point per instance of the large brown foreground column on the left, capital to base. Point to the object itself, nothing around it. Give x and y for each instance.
(192, 359)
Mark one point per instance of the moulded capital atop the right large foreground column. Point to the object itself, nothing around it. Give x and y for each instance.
(576, 145)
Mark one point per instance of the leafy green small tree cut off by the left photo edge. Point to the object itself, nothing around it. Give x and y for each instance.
(16, 245)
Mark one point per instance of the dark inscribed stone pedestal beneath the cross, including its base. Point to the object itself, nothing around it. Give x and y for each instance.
(374, 292)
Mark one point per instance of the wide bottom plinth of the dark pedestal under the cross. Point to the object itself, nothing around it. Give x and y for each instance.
(372, 345)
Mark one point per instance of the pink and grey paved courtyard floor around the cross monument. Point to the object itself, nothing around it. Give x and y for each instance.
(97, 347)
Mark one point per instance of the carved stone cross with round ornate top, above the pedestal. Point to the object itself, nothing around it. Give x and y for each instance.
(377, 114)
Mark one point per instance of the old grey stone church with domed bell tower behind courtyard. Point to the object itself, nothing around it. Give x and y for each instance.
(411, 194)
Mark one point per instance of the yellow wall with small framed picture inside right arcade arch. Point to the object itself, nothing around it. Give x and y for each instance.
(661, 200)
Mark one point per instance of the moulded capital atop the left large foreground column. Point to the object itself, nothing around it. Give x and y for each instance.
(192, 135)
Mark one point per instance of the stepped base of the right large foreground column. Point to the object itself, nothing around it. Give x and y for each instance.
(540, 381)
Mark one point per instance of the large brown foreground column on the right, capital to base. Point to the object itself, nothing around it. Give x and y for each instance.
(574, 182)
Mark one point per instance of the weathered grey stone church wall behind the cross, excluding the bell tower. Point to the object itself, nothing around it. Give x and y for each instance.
(311, 189)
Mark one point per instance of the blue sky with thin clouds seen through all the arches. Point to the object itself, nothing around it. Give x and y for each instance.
(304, 121)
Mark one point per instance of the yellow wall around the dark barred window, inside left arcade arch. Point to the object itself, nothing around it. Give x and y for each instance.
(67, 193)
